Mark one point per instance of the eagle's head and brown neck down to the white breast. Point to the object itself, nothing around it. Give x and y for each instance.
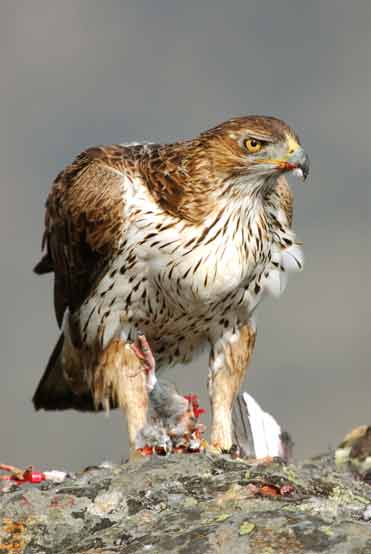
(239, 157)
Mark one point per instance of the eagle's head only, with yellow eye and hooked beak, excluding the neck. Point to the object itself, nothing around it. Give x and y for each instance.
(254, 147)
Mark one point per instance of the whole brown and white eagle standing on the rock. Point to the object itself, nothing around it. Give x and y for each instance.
(179, 241)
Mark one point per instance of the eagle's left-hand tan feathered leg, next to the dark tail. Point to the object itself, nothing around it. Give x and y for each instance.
(120, 375)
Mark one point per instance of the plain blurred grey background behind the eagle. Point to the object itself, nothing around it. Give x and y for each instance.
(78, 73)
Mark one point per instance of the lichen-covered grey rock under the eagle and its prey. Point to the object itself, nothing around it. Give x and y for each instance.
(193, 504)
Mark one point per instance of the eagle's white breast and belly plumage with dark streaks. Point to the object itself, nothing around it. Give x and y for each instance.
(179, 282)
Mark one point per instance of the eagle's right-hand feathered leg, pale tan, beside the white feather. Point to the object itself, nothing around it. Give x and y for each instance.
(229, 359)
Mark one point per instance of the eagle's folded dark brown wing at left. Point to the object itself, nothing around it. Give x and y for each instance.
(83, 225)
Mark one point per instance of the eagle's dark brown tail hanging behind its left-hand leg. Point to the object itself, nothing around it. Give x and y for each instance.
(54, 392)
